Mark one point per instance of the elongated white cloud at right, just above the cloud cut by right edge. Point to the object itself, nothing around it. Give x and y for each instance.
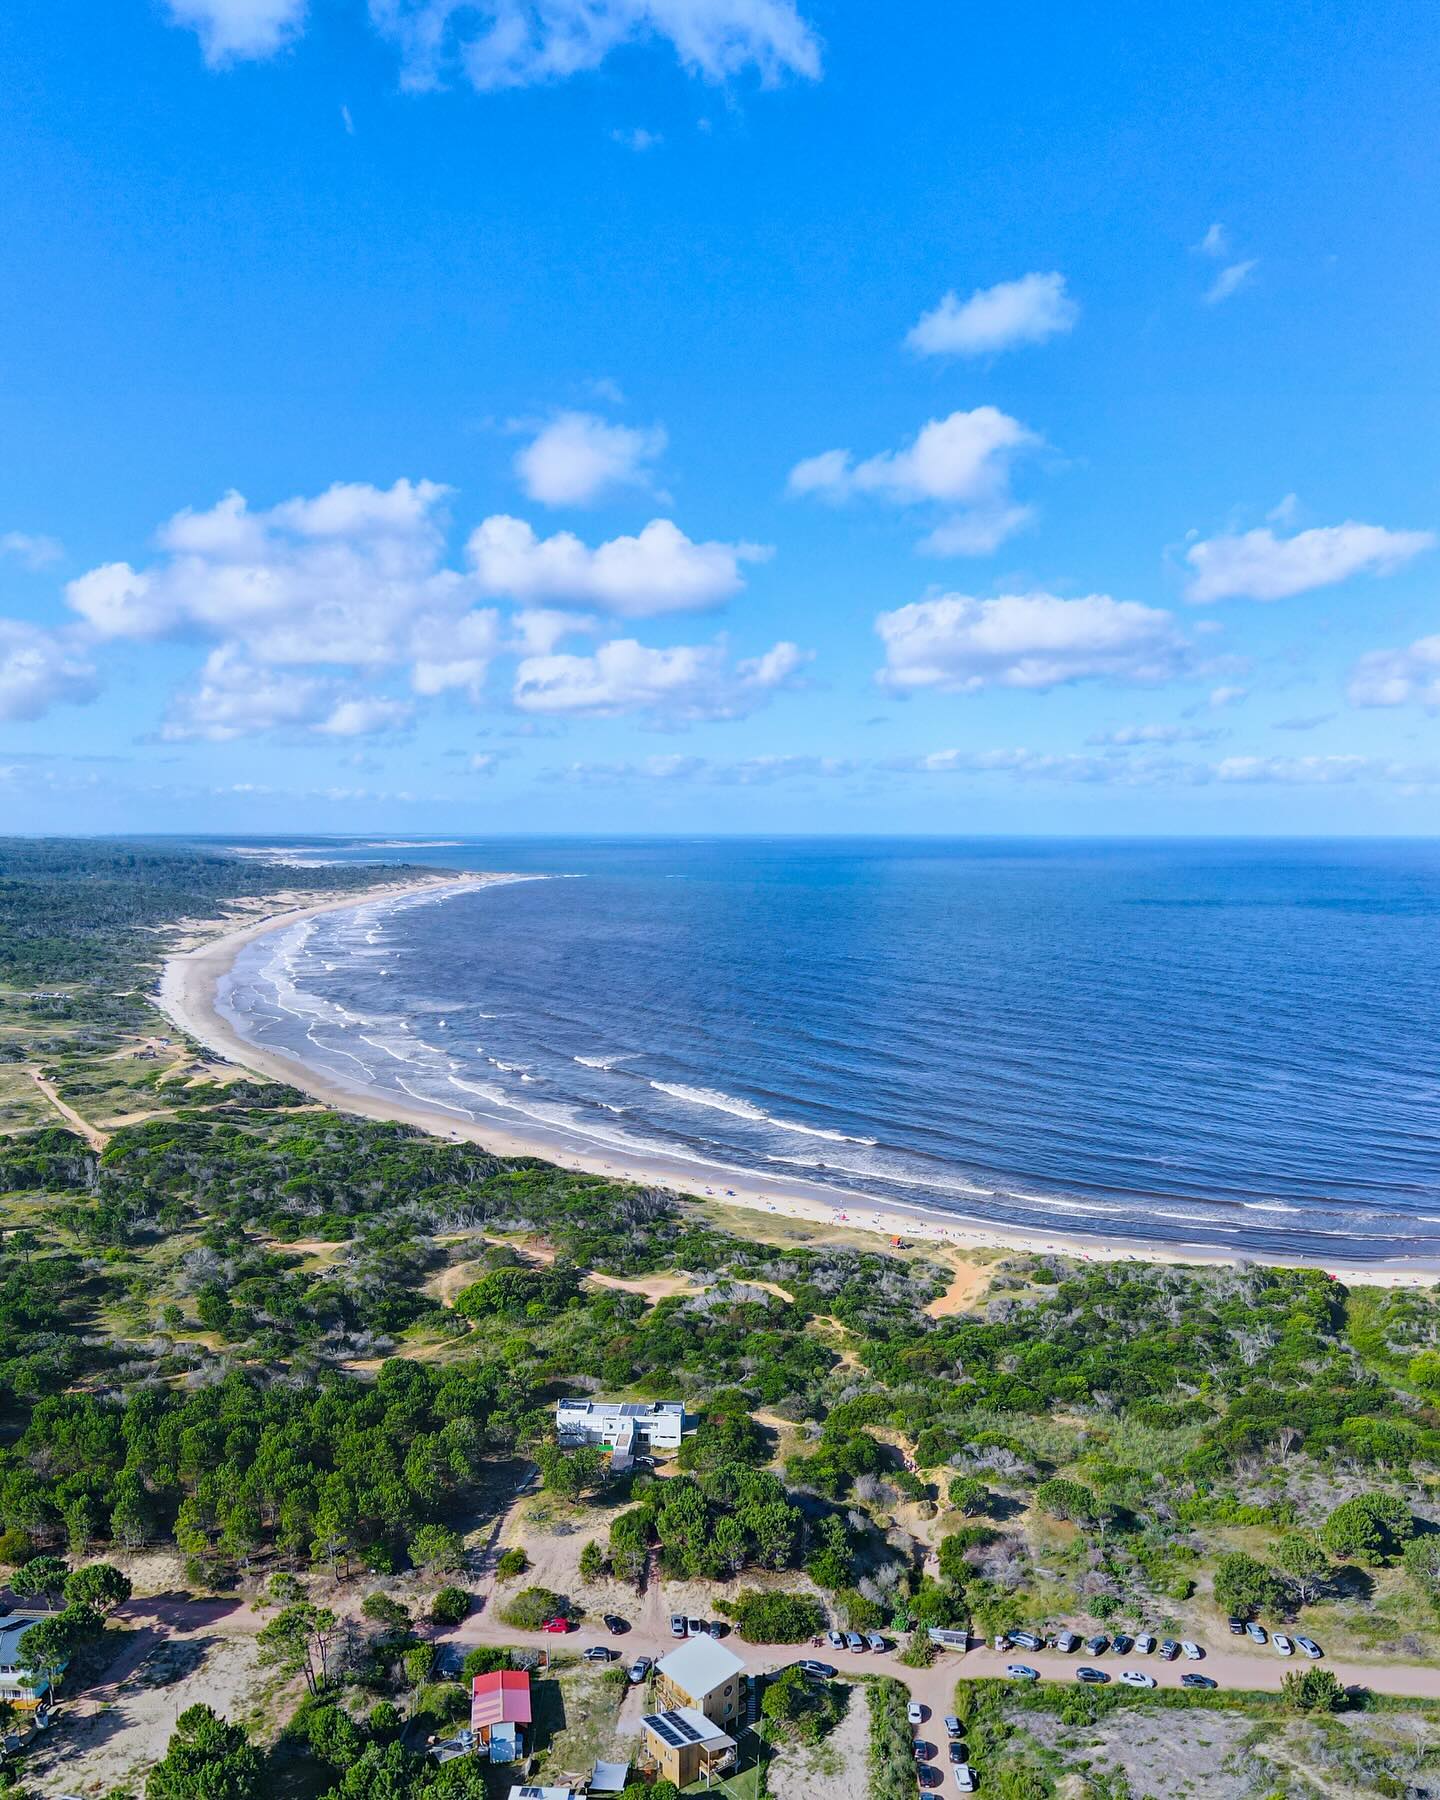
(1261, 566)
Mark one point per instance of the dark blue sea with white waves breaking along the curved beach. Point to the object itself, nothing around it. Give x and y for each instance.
(1218, 1045)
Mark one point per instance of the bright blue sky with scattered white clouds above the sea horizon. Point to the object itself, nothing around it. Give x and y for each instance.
(719, 415)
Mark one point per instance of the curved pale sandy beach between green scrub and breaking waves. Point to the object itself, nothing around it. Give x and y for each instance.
(188, 996)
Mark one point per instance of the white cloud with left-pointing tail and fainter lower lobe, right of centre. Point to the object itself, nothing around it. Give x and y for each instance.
(964, 460)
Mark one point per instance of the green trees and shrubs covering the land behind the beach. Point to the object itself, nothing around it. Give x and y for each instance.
(303, 1353)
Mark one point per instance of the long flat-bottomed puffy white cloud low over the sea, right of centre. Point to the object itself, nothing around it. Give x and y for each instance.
(962, 645)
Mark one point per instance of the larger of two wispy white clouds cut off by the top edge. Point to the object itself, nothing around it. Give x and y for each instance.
(514, 44)
